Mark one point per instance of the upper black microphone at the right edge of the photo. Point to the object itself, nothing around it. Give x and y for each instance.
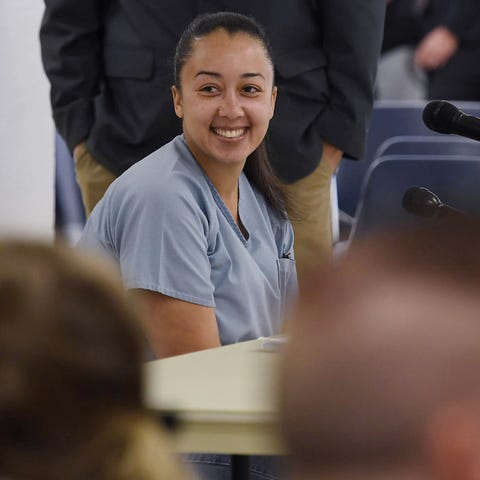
(443, 117)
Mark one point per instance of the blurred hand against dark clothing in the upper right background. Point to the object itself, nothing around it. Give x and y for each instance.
(436, 48)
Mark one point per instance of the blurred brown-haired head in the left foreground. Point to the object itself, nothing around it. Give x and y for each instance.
(70, 372)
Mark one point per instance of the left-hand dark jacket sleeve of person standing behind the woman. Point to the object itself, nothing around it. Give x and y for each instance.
(70, 40)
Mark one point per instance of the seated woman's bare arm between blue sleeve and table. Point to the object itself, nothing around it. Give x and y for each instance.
(174, 326)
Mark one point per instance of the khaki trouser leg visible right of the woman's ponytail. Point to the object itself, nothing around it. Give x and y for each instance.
(313, 231)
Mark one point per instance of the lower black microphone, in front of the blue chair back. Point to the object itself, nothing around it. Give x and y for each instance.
(423, 202)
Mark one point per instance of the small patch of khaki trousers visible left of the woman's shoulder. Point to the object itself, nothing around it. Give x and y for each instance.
(93, 178)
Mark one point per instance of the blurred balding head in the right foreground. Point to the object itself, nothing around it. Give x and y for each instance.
(382, 374)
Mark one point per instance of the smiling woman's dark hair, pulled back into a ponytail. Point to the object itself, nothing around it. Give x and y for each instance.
(257, 168)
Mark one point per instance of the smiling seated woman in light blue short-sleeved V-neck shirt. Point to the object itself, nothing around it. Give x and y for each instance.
(199, 227)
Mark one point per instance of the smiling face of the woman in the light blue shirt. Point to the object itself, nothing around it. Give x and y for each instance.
(226, 98)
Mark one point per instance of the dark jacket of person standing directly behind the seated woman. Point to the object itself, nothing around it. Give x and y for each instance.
(110, 67)
